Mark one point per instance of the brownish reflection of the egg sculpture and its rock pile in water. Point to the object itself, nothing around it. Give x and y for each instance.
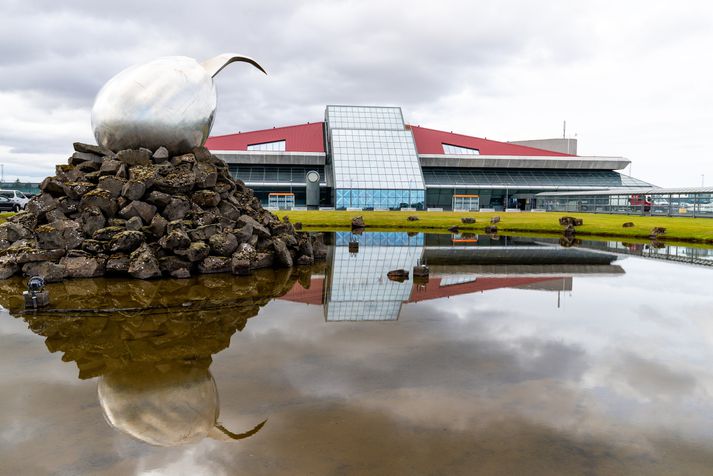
(151, 343)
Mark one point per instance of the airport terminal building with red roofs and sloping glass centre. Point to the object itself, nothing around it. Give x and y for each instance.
(367, 157)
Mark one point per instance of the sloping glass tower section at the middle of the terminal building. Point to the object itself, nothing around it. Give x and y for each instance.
(374, 158)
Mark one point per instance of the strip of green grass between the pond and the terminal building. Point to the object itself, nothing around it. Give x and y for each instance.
(677, 228)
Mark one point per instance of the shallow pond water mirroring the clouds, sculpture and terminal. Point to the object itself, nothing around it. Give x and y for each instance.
(516, 357)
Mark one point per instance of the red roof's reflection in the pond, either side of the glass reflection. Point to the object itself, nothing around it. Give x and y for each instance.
(432, 290)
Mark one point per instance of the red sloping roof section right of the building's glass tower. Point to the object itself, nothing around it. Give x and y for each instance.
(430, 141)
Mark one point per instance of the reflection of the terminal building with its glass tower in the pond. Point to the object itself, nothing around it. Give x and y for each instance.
(355, 286)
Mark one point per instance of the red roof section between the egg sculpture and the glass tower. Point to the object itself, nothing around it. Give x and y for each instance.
(299, 138)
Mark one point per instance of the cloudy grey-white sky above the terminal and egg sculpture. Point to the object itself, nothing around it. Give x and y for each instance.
(631, 78)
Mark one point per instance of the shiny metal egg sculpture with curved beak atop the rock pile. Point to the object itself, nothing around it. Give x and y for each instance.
(168, 102)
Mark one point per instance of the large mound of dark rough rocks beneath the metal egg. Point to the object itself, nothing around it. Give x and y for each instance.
(145, 214)
